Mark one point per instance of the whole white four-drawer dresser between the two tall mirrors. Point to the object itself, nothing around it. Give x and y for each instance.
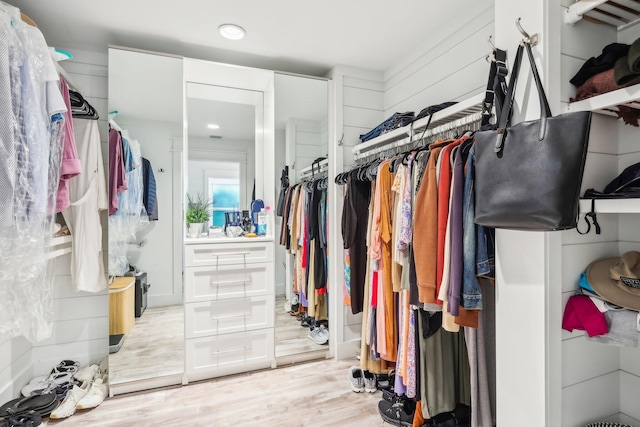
(229, 305)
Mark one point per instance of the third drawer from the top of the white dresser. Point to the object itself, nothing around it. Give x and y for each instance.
(227, 316)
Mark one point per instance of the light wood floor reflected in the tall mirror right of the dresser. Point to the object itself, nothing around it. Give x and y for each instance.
(290, 337)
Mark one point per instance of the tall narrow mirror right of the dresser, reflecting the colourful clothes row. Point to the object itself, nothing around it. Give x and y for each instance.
(302, 321)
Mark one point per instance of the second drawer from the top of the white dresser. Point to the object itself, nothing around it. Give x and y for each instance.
(227, 282)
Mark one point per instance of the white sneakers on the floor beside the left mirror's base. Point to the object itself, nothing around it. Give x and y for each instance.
(90, 393)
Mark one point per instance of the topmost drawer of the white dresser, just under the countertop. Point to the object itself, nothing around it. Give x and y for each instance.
(228, 253)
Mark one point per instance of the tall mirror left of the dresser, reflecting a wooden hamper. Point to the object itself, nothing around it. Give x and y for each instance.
(146, 316)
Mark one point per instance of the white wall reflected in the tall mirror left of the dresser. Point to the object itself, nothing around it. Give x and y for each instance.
(156, 255)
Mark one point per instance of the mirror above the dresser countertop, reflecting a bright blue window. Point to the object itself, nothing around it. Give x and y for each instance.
(221, 150)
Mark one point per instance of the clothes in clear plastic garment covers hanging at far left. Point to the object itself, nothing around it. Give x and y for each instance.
(31, 133)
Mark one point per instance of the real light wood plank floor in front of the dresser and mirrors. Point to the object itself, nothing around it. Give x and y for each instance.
(315, 394)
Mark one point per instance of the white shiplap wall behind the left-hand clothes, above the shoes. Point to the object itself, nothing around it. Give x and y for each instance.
(80, 330)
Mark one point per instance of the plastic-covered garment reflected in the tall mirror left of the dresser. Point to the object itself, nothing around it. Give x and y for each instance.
(131, 215)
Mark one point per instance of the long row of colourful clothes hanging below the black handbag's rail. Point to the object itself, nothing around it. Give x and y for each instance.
(422, 299)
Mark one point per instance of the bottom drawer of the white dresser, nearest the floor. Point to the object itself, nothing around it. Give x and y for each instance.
(227, 354)
